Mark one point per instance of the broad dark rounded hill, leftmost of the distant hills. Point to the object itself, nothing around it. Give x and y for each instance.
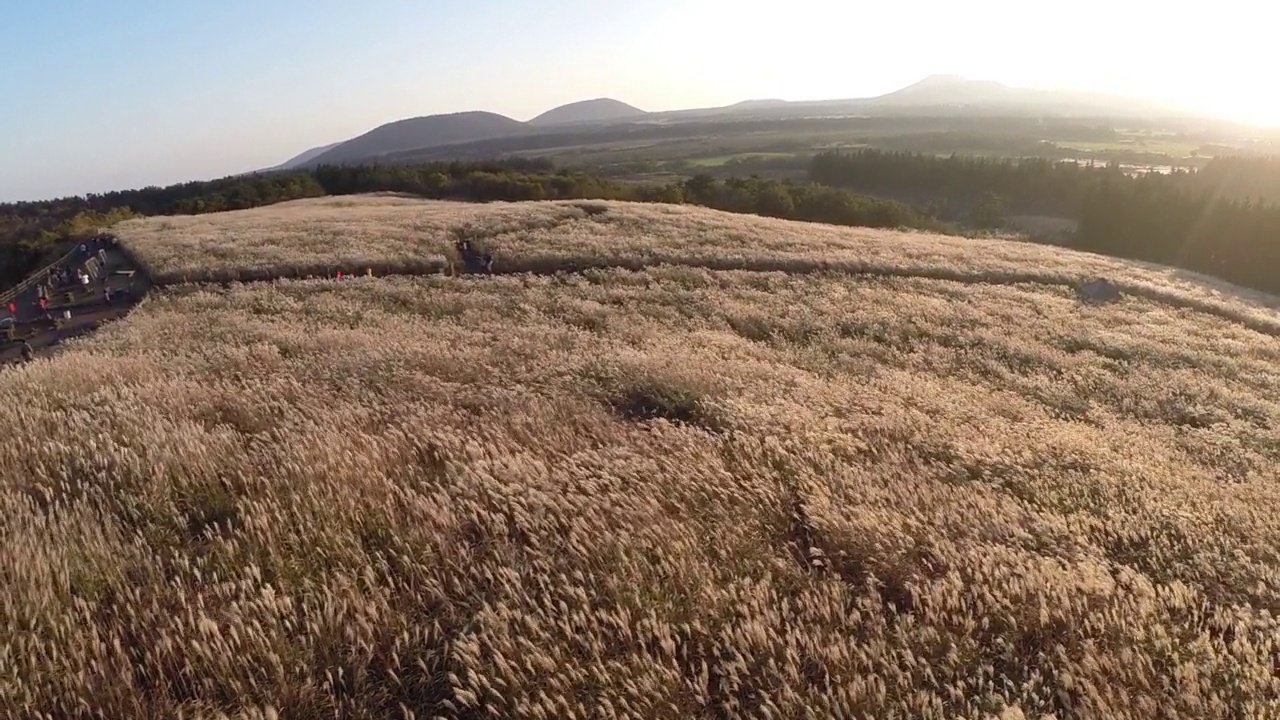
(422, 133)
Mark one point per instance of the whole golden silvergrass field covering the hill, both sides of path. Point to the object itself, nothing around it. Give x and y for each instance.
(664, 493)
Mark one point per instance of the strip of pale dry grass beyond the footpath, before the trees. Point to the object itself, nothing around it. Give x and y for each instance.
(399, 235)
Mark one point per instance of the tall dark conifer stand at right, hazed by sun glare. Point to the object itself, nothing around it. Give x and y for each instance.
(1222, 220)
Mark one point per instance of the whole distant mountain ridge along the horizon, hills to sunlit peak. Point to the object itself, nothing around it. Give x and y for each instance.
(939, 94)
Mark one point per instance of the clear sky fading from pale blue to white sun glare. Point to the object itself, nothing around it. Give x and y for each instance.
(103, 95)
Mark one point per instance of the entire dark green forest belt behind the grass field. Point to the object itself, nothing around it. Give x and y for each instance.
(1220, 220)
